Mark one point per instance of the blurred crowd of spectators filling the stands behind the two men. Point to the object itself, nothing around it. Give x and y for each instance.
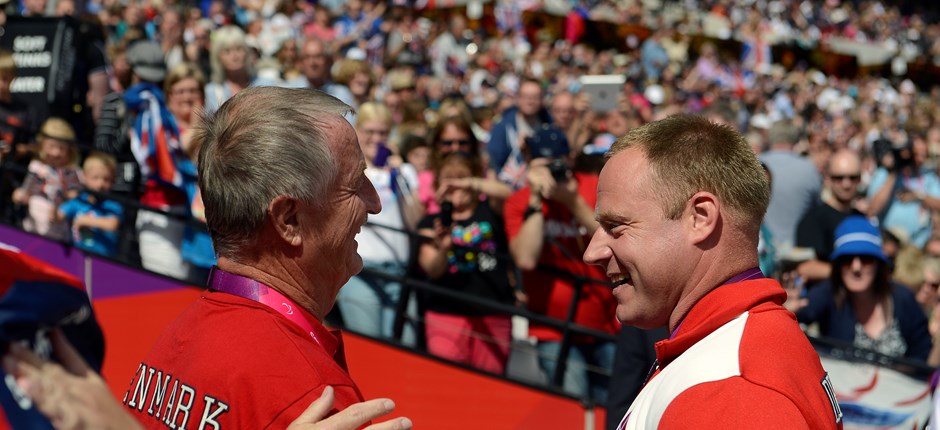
(483, 141)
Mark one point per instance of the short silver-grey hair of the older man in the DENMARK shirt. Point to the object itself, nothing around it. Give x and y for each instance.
(263, 143)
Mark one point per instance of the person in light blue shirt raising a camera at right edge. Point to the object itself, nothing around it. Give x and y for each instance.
(902, 195)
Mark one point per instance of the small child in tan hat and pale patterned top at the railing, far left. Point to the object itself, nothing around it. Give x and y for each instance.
(51, 179)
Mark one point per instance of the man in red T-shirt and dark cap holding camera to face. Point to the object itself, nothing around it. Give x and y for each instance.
(548, 224)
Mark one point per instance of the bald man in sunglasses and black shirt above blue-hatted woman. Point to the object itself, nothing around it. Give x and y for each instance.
(817, 229)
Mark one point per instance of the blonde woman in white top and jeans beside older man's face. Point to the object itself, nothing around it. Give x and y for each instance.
(369, 301)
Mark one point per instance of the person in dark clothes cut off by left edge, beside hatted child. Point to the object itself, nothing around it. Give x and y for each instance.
(17, 127)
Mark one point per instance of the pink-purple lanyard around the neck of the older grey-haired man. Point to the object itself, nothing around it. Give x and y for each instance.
(220, 280)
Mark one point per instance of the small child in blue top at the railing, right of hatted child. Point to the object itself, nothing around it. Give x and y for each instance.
(95, 221)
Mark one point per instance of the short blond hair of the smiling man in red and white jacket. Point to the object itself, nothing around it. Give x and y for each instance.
(688, 154)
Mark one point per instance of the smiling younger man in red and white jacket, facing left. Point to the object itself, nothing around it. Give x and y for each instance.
(667, 194)
